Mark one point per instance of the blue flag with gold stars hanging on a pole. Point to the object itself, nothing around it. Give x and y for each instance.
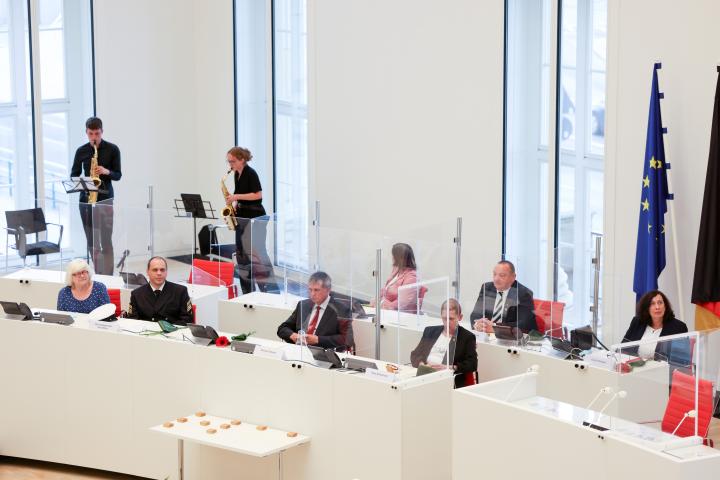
(650, 251)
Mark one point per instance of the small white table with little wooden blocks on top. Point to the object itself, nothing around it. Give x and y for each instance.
(228, 434)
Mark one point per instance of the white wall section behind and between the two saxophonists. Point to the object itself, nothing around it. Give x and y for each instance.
(164, 92)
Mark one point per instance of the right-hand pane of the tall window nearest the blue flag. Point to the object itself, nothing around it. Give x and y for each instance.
(581, 155)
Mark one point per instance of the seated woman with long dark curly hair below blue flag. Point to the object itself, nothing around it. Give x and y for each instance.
(654, 318)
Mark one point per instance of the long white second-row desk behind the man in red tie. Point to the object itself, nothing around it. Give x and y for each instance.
(578, 382)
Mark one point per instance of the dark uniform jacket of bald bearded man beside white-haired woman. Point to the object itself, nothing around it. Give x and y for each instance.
(172, 305)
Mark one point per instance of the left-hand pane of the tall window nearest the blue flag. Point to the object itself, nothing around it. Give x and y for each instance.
(526, 124)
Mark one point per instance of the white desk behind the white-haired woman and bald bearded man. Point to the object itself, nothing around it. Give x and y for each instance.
(39, 289)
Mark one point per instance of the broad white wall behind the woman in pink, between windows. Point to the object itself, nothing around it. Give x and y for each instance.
(406, 122)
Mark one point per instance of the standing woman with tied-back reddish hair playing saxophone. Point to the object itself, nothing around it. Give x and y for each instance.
(253, 261)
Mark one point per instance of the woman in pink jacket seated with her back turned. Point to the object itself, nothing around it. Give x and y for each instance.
(404, 272)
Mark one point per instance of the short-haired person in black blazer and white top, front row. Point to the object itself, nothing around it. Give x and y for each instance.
(446, 344)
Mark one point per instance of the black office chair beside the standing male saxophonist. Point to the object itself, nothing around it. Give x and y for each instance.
(20, 224)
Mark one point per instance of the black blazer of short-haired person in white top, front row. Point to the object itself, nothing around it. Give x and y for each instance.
(462, 351)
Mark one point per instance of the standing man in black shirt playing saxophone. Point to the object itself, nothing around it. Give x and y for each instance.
(98, 221)
